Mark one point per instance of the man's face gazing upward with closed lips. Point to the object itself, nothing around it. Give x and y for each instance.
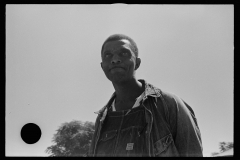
(119, 61)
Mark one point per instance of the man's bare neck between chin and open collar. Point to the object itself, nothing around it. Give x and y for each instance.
(128, 91)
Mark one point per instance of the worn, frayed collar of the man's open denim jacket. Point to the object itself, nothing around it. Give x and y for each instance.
(150, 90)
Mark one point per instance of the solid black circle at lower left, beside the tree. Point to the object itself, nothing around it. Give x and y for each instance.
(30, 133)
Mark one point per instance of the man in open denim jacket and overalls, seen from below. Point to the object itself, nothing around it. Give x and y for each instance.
(140, 119)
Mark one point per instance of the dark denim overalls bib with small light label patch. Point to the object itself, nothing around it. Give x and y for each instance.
(122, 134)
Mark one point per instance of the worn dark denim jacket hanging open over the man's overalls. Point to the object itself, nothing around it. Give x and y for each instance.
(172, 128)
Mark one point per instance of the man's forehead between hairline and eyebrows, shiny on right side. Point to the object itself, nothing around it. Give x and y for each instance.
(116, 45)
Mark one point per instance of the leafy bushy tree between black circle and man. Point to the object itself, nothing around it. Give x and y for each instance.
(71, 139)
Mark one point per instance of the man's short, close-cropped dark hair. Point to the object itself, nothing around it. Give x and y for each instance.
(116, 37)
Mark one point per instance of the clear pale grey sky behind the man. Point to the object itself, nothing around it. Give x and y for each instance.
(53, 72)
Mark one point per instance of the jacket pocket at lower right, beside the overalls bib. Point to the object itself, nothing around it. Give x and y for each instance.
(165, 146)
